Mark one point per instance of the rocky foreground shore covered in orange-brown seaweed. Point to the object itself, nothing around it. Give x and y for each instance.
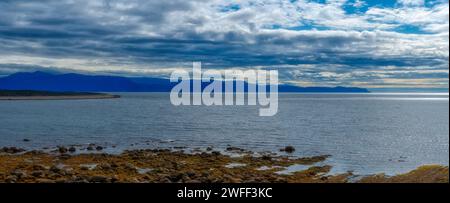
(65, 165)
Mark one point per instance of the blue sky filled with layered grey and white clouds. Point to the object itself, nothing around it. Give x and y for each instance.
(362, 43)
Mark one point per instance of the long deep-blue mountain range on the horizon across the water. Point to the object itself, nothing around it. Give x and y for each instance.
(93, 83)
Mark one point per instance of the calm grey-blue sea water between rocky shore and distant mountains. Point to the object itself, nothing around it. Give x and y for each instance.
(364, 133)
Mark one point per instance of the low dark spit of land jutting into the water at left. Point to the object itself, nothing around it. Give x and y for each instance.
(49, 95)
